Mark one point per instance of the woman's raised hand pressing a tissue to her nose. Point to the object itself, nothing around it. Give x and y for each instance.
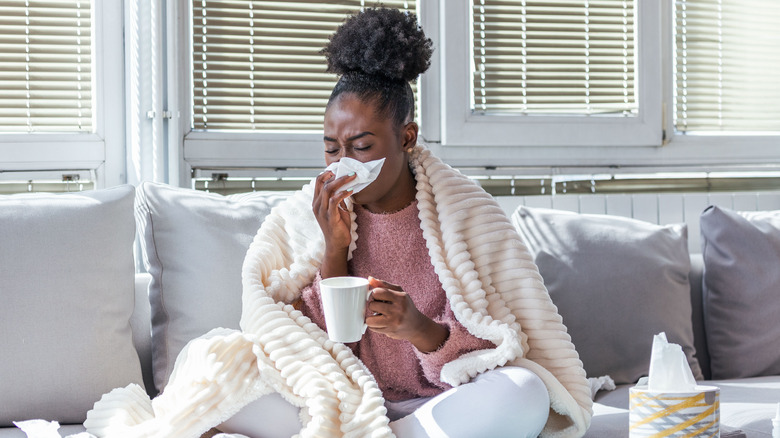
(331, 214)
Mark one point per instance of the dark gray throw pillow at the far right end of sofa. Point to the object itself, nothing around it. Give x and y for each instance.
(742, 291)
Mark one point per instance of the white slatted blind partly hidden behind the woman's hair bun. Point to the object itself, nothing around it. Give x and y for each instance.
(256, 64)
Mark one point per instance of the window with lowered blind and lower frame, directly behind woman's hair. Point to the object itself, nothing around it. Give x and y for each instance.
(259, 86)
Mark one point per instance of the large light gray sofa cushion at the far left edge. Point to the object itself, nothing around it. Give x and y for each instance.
(67, 285)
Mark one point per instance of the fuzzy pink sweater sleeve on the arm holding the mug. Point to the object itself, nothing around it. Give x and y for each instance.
(458, 343)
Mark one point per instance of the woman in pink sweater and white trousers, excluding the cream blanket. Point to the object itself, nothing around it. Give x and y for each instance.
(377, 233)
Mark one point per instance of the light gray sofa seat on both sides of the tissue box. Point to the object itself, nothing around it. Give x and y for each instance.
(745, 404)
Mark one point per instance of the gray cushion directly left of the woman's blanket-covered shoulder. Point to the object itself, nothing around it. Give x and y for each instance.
(194, 244)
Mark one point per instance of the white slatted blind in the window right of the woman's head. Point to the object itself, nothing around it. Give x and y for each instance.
(554, 57)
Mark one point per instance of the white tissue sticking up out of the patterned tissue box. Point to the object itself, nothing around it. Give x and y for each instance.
(669, 369)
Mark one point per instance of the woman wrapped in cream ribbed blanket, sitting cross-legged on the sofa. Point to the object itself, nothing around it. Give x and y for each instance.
(463, 339)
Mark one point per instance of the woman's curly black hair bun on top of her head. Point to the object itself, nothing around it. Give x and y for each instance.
(380, 41)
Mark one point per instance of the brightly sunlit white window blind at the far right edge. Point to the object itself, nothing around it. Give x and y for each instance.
(727, 65)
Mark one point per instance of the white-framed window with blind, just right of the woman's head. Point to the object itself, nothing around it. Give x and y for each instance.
(551, 73)
